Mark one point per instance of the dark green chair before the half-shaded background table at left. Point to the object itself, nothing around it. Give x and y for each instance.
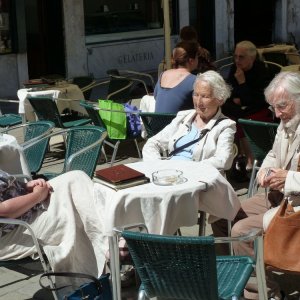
(46, 109)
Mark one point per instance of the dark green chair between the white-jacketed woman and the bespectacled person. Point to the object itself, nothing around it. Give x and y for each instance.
(260, 136)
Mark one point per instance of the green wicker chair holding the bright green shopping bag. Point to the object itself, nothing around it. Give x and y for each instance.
(94, 115)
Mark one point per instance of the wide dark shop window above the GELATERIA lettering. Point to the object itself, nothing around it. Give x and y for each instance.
(112, 20)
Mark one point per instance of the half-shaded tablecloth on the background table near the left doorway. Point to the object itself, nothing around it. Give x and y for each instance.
(66, 96)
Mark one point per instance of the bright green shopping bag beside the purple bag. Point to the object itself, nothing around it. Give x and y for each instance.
(115, 122)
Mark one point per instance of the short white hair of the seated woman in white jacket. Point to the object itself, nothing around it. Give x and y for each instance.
(221, 90)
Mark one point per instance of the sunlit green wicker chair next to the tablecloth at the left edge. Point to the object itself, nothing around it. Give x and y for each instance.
(34, 131)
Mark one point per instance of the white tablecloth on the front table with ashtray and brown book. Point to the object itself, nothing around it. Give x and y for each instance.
(166, 208)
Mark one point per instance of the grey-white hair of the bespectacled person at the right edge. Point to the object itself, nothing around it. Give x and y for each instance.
(285, 83)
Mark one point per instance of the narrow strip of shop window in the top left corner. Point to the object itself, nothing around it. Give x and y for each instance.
(5, 33)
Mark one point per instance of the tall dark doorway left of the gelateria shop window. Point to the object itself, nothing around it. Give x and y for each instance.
(45, 38)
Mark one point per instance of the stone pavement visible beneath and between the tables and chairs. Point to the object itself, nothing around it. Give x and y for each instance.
(20, 283)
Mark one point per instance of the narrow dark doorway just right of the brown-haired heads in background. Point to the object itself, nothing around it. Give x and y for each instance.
(205, 24)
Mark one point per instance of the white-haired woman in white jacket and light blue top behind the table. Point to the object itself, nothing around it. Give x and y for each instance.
(205, 121)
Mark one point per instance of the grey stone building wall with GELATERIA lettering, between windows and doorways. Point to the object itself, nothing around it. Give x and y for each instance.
(141, 54)
